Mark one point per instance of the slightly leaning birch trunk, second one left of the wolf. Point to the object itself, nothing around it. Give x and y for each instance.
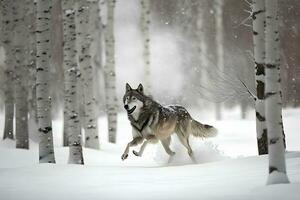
(84, 40)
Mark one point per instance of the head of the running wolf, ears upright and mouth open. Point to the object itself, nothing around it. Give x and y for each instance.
(134, 100)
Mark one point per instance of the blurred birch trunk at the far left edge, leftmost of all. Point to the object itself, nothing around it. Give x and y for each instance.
(6, 41)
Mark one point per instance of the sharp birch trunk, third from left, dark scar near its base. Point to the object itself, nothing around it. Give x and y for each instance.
(43, 17)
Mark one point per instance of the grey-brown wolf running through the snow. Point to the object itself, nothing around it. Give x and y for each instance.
(151, 122)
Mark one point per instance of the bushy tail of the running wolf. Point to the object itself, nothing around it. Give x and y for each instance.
(203, 130)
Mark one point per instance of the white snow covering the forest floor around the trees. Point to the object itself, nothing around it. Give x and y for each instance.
(227, 167)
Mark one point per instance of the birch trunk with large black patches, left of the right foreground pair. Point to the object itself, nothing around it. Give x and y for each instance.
(259, 20)
